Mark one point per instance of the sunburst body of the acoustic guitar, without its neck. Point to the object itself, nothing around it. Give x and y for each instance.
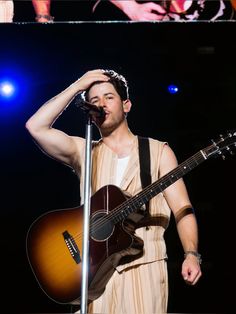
(54, 247)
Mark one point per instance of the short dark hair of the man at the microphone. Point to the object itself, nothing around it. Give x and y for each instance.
(117, 80)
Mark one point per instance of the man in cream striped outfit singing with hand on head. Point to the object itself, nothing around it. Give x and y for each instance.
(140, 285)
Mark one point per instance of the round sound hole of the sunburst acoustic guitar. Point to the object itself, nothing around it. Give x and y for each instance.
(101, 227)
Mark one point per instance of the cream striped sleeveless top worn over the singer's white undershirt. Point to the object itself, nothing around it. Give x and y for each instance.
(104, 165)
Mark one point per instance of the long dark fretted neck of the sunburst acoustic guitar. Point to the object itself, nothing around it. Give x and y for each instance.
(137, 201)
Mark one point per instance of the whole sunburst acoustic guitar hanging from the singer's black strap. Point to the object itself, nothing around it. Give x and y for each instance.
(54, 240)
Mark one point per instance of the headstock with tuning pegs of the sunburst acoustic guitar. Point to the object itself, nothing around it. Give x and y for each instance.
(224, 144)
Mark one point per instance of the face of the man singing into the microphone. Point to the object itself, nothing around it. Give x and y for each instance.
(105, 95)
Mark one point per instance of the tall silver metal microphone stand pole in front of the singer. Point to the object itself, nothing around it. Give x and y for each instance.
(87, 203)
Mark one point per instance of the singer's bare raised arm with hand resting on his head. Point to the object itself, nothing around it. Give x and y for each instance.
(54, 142)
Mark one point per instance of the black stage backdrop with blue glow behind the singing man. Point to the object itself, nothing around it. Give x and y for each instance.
(200, 58)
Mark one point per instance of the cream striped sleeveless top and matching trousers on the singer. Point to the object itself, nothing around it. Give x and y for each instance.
(140, 286)
